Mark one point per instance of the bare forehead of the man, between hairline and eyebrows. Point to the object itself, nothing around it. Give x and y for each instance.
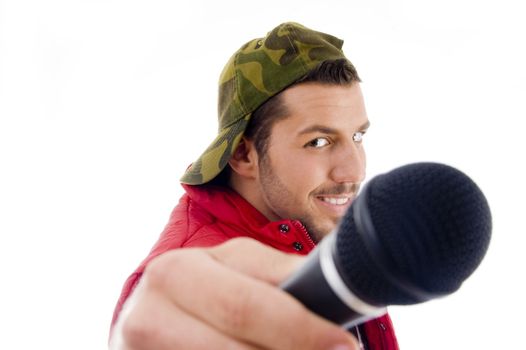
(338, 107)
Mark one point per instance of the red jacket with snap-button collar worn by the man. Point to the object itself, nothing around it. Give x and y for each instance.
(209, 215)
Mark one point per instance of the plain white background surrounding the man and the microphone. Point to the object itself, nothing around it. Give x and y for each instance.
(103, 104)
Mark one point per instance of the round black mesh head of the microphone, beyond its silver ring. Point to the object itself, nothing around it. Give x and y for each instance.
(434, 226)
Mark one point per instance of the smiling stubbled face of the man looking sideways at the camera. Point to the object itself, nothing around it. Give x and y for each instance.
(315, 160)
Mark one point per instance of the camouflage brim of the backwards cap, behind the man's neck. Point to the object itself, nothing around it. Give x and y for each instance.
(216, 156)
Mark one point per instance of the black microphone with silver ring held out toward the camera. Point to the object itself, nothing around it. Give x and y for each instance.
(413, 234)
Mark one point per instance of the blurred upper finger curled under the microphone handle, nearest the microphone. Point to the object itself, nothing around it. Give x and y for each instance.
(241, 306)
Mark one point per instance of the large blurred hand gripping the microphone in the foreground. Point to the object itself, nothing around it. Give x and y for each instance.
(222, 298)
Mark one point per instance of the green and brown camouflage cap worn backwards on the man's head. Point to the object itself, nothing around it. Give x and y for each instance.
(260, 69)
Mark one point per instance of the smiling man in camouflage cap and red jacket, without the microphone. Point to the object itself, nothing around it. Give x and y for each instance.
(284, 168)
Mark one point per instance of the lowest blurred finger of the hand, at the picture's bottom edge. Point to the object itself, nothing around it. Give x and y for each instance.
(154, 322)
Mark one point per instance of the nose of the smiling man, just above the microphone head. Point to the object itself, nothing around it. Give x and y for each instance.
(349, 165)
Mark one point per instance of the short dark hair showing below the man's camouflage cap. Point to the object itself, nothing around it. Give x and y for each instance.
(331, 72)
